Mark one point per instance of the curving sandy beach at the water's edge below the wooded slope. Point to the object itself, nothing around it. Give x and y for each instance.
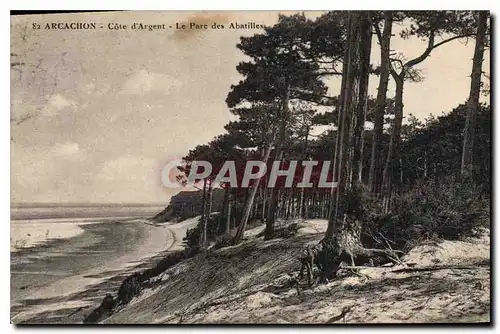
(53, 279)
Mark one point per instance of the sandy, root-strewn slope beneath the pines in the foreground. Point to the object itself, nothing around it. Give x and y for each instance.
(445, 281)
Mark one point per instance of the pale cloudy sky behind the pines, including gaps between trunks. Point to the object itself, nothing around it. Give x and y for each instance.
(97, 114)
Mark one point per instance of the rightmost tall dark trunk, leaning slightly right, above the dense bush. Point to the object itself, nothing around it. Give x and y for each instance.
(473, 101)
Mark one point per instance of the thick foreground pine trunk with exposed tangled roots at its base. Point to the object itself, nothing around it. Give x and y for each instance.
(343, 236)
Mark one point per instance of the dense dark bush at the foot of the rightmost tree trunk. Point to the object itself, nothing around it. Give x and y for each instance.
(447, 210)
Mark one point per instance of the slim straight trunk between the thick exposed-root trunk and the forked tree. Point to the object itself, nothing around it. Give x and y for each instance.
(375, 175)
